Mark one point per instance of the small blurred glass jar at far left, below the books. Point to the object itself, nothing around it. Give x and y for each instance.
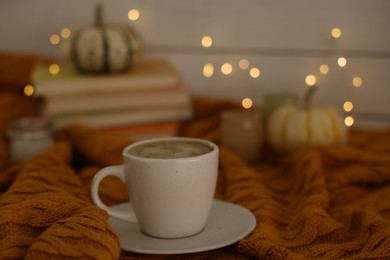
(29, 136)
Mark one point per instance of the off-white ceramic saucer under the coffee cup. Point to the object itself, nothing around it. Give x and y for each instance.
(227, 224)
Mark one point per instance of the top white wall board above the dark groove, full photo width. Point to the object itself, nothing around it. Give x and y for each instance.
(302, 24)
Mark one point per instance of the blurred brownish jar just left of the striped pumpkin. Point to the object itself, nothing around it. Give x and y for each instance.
(241, 131)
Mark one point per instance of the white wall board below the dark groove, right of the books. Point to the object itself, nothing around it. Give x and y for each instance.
(288, 74)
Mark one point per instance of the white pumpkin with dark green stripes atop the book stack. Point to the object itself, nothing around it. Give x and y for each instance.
(102, 48)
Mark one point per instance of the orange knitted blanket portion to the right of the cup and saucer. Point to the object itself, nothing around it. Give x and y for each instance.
(321, 202)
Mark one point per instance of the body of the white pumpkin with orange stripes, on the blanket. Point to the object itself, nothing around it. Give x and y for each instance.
(290, 128)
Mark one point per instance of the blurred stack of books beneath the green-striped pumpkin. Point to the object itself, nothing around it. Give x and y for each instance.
(150, 97)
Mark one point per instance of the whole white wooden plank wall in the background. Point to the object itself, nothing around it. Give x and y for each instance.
(286, 40)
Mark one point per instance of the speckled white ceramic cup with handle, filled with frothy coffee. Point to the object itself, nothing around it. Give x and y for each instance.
(170, 197)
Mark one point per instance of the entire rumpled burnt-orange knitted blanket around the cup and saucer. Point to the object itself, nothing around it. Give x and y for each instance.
(327, 202)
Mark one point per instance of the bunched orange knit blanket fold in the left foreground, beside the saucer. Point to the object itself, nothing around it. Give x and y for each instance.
(46, 213)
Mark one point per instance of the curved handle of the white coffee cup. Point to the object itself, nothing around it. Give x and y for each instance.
(118, 171)
